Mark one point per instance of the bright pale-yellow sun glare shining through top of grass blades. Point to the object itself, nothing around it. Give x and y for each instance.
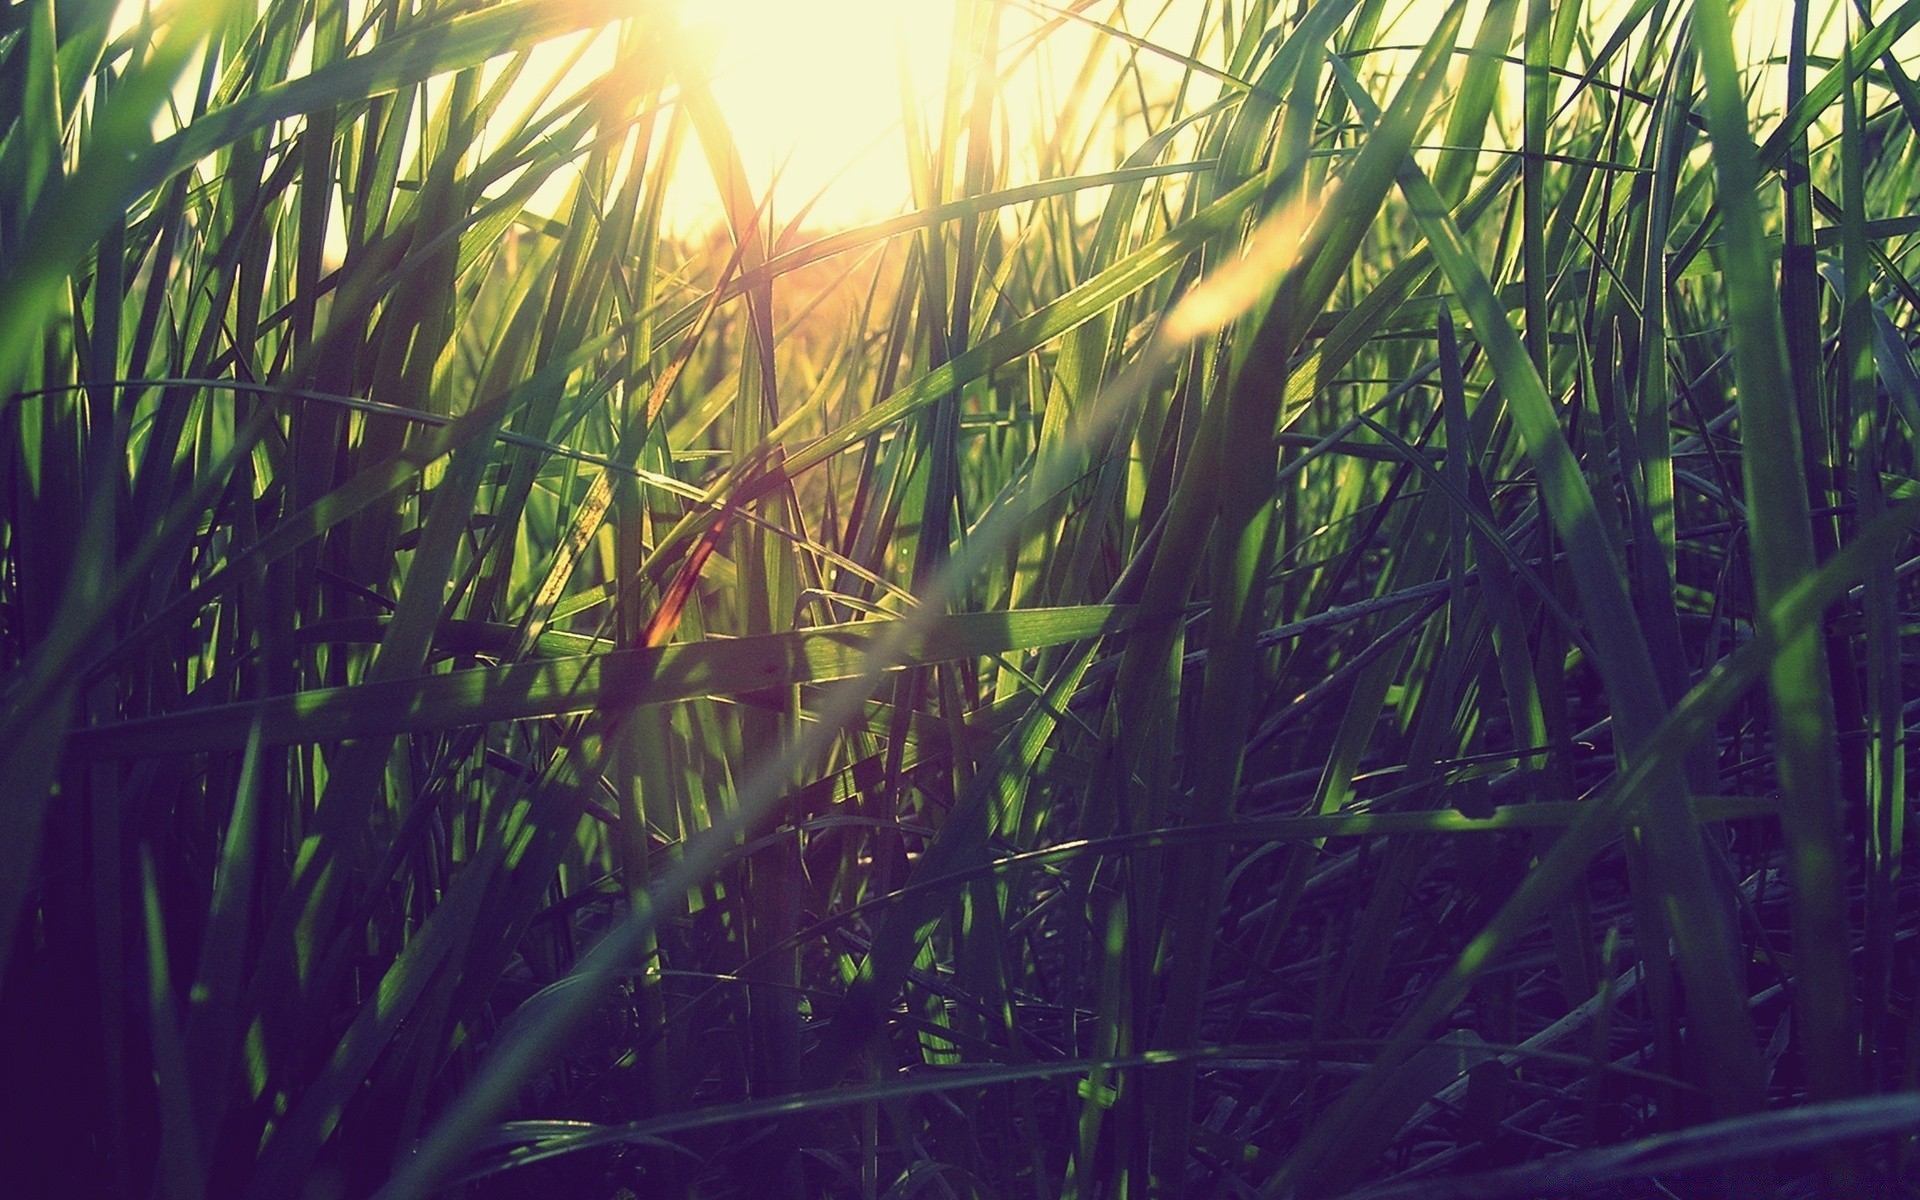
(813, 95)
